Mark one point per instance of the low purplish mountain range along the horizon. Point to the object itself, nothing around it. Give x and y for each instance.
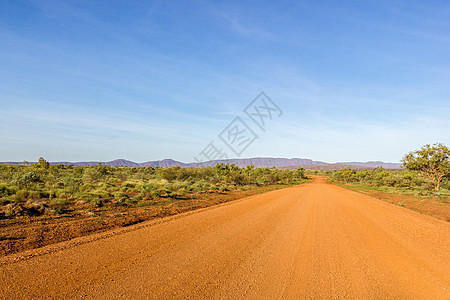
(258, 162)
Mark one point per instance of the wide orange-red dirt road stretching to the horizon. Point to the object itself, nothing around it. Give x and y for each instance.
(313, 241)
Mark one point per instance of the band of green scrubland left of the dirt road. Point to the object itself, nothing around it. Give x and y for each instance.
(42, 188)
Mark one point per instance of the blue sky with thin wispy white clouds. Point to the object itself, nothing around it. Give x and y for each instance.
(98, 80)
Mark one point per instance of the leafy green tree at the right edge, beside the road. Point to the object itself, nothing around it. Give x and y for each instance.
(432, 161)
